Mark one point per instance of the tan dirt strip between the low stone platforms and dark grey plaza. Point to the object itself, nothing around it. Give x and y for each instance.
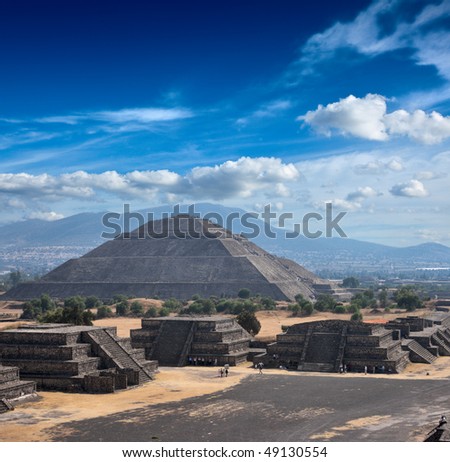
(34, 421)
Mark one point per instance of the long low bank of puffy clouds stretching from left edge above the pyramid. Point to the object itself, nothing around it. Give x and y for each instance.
(241, 178)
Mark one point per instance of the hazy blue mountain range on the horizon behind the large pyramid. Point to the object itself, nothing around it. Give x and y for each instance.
(75, 235)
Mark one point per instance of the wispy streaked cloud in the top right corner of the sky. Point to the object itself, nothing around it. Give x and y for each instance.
(365, 35)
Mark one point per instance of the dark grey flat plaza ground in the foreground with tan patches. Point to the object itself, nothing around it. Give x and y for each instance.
(282, 408)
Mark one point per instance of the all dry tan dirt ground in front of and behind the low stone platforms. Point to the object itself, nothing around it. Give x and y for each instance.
(34, 421)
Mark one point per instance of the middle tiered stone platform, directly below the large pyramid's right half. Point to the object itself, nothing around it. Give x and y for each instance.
(181, 341)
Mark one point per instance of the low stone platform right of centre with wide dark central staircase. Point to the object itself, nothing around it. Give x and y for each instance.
(326, 346)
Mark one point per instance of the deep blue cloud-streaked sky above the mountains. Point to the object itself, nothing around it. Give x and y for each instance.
(238, 102)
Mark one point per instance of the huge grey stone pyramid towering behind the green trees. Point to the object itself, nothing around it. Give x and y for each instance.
(175, 257)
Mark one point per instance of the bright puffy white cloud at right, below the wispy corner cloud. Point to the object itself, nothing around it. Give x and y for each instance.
(367, 118)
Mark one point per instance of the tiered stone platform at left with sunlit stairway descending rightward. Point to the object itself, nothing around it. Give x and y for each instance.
(74, 358)
